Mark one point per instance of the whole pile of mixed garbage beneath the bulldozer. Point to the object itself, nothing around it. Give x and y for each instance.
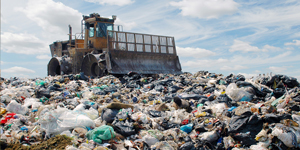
(187, 111)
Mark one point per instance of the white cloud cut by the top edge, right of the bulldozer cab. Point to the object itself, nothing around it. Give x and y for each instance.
(206, 8)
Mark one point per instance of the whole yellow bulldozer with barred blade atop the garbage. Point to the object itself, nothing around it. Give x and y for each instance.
(103, 48)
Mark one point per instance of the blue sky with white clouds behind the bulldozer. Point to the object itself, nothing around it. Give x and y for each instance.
(248, 37)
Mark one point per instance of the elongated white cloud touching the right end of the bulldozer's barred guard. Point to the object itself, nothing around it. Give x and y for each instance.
(194, 52)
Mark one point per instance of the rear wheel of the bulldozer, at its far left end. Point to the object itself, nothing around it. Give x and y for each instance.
(59, 66)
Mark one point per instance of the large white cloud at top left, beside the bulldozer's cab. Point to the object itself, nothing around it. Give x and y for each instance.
(53, 17)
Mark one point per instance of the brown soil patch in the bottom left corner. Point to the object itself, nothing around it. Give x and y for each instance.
(58, 142)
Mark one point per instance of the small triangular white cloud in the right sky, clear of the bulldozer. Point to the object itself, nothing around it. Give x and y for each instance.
(243, 46)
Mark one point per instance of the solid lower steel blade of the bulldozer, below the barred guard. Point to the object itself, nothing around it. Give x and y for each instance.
(122, 62)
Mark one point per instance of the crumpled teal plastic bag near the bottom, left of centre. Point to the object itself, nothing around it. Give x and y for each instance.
(101, 133)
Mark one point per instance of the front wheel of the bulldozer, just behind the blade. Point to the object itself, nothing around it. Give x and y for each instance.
(91, 65)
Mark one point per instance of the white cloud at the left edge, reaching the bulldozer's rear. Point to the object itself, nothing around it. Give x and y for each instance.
(22, 43)
